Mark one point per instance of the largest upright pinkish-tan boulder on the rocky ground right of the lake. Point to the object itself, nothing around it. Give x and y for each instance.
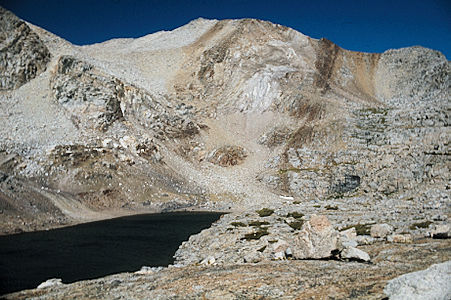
(316, 239)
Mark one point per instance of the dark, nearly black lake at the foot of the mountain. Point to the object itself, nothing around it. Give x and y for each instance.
(95, 249)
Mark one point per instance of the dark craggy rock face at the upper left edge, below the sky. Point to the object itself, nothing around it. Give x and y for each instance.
(23, 55)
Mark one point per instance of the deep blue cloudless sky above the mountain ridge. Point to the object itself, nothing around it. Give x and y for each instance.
(360, 25)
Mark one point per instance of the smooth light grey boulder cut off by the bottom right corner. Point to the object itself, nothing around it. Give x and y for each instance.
(432, 283)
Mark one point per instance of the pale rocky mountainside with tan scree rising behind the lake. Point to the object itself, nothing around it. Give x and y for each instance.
(215, 115)
